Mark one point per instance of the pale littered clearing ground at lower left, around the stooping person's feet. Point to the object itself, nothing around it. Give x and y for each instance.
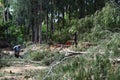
(20, 69)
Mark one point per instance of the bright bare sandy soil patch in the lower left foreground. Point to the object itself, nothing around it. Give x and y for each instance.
(19, 72)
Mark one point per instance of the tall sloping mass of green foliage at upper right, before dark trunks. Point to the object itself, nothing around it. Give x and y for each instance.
(99, 25)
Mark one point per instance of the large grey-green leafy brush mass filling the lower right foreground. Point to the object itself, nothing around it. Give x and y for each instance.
(99, 64)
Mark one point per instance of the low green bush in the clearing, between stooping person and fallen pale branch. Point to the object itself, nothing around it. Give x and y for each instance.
(46, 57)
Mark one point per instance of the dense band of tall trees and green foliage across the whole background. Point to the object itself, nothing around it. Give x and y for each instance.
(42, 20)
